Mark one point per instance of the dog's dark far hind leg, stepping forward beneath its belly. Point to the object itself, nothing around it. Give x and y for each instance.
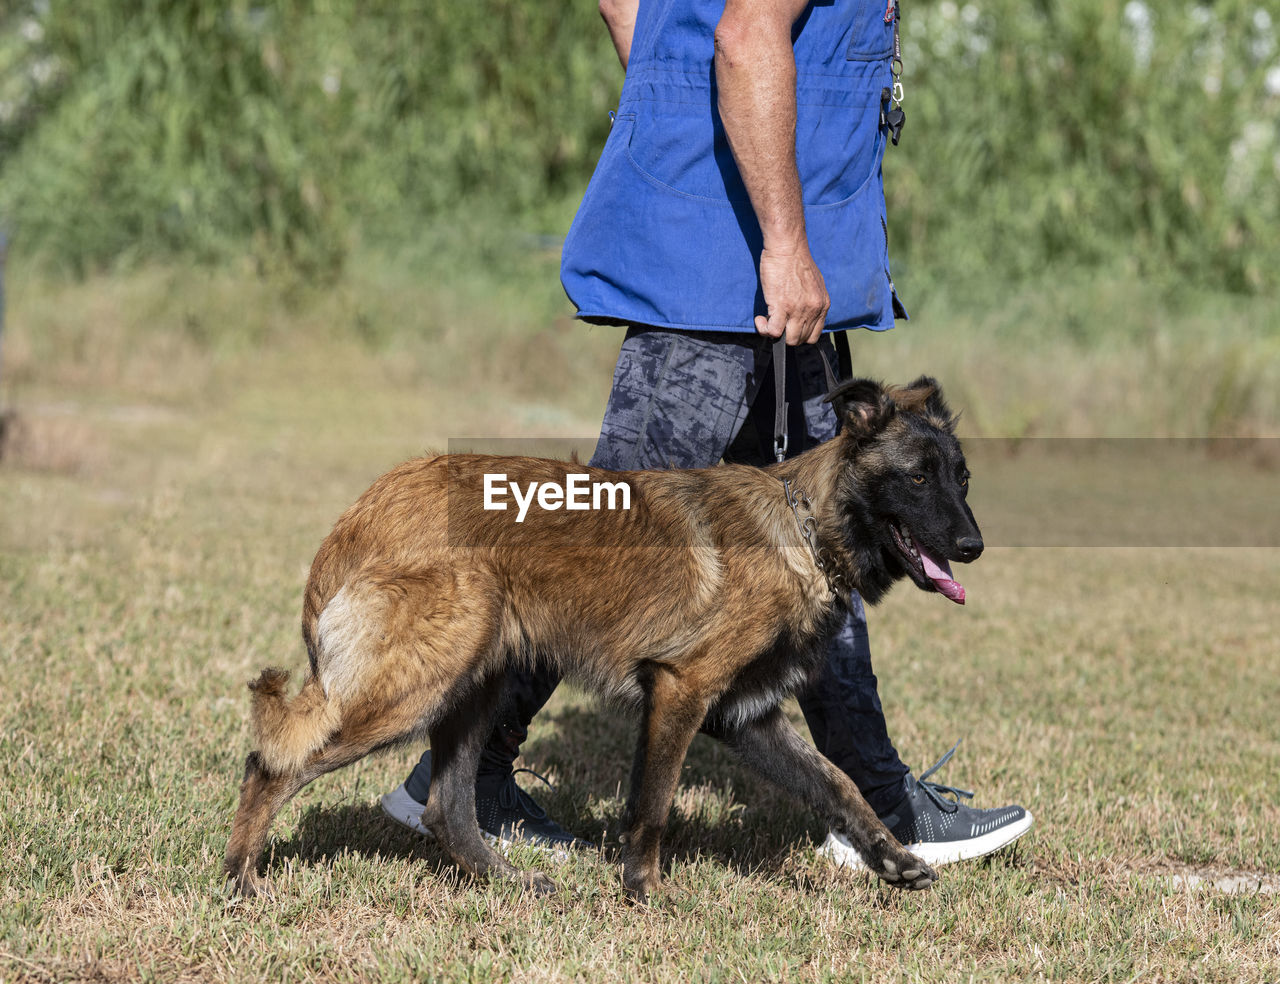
(458, 740)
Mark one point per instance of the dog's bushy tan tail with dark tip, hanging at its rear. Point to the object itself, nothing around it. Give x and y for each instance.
(287, 730)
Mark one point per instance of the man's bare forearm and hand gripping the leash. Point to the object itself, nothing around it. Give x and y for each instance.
(756, 74)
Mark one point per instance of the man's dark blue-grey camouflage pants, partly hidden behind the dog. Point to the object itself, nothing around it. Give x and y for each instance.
(685, 400)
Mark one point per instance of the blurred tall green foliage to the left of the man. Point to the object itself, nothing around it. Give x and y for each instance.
(141, 127)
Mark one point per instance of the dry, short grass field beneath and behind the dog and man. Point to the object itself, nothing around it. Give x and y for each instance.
(182, 445)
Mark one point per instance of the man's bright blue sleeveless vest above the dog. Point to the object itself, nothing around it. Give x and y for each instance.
(666, 235)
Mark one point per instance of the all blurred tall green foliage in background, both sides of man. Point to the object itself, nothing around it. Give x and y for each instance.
(1086, 134)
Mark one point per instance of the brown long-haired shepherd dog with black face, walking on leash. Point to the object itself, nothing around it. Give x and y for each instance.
(702, 605)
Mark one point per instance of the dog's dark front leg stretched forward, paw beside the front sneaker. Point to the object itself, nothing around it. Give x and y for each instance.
(772, 748)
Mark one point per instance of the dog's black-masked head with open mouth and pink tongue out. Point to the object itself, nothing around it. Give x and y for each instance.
(903, 488)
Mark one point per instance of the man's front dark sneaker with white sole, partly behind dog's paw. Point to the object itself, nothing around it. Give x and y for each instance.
(938, 830)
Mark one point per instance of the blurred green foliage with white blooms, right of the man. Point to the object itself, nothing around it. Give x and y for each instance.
(1141, 136)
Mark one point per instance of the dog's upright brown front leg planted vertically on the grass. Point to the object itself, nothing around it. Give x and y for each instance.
(673, 715)
